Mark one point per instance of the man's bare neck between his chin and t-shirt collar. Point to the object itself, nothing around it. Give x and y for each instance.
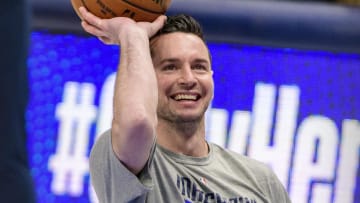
(186, 138)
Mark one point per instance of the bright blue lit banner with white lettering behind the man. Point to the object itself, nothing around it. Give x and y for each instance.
(295, 108)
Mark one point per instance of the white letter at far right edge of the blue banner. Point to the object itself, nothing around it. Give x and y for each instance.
(348, 162)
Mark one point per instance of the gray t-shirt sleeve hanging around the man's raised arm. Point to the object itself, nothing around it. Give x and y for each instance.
(111, 180)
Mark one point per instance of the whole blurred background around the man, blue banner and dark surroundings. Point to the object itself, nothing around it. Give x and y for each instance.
(287, 93)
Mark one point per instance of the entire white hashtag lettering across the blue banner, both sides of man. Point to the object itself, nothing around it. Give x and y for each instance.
(313, 148)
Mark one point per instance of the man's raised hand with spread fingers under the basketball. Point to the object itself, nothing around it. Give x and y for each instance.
(110, 31)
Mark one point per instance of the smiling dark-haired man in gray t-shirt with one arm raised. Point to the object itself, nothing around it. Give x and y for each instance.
(156, 149)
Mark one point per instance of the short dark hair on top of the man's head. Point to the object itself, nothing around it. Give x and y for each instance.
(181, 23)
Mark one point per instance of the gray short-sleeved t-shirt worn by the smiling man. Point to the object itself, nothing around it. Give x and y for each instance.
(222, 176)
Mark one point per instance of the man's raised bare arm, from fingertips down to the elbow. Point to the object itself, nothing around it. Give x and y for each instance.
(136, 93)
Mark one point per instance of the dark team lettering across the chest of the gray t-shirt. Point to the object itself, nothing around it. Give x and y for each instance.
(192, 193)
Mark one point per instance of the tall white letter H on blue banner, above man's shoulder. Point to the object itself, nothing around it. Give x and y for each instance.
(278, 154)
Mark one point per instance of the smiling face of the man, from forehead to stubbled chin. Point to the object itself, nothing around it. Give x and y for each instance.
(184, 75)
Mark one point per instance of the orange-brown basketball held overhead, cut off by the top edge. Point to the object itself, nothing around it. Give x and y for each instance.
(138, 10)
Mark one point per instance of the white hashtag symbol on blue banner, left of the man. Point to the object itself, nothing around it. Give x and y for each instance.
(75, 113)
